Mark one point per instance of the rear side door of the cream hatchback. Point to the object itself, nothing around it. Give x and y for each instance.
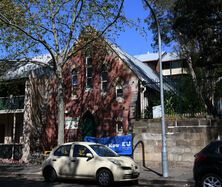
(61, 159)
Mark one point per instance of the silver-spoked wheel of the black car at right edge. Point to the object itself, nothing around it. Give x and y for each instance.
(211, 180)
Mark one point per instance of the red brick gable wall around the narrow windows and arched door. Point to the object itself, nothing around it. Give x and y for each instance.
(104, 107)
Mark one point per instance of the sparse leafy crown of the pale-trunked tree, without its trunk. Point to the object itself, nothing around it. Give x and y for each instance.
(38, 27)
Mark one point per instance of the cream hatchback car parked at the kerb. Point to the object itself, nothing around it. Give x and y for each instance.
(87, 160)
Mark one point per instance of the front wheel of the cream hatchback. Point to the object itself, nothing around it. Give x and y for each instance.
(104, 177)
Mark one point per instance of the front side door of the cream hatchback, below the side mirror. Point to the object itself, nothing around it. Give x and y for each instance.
(82, 166)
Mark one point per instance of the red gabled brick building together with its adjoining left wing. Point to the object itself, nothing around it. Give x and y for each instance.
(105, 91)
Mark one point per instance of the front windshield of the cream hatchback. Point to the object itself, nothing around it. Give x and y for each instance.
(103, 151)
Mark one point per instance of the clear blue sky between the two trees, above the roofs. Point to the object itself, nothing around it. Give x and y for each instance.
(131, 40)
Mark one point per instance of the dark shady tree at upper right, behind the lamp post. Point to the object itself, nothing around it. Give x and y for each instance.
(196, 26)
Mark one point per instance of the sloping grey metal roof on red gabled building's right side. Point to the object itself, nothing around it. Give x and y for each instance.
(144, 72)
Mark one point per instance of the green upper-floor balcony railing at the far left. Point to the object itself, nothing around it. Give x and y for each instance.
(12, 103)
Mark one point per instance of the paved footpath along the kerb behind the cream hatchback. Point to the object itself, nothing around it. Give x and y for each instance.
(178, 176)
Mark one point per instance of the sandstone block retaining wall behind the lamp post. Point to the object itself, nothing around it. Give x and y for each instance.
(185, 138)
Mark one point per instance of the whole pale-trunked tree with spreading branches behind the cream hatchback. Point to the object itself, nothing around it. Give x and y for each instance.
(53, 26)
